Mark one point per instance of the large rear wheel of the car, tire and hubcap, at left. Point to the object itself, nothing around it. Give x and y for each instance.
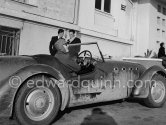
(37, 105)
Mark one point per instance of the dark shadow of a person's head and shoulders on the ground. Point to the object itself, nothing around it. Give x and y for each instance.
(98, 117)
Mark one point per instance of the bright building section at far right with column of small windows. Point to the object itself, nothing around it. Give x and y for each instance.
(151, 27)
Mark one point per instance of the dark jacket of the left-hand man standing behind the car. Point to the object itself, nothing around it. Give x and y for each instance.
(52, 47)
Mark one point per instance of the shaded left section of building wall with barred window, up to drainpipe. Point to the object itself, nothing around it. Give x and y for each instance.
(26, 26)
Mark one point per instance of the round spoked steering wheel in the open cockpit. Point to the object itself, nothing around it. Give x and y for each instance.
(86, 59)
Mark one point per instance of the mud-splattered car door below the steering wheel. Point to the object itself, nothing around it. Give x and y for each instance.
(86, 88)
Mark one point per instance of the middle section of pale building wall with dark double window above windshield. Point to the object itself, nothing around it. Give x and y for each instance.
(109, 22)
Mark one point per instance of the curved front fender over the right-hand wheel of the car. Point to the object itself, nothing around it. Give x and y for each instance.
(143, 84)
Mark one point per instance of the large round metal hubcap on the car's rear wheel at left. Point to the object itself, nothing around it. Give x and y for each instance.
(39, 104)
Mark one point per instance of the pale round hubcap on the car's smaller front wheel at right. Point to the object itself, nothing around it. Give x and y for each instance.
(158, 91)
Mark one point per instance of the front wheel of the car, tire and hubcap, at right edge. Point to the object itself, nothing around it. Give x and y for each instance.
(157, 92)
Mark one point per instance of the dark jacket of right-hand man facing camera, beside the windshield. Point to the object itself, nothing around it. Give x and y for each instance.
(74, 50)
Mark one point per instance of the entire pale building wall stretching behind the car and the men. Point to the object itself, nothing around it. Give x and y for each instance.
(122, 28)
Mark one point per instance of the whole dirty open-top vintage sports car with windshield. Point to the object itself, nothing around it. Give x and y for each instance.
(33, 89)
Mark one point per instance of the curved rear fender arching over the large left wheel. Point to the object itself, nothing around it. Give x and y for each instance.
(9, 90)
